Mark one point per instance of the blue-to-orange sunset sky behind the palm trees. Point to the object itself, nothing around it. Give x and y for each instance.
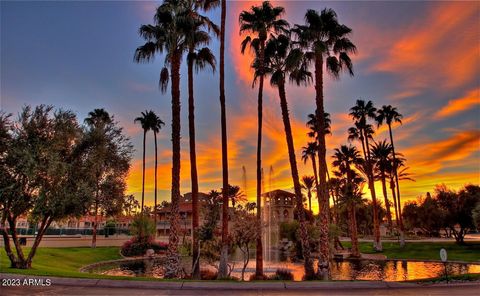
(421, 57)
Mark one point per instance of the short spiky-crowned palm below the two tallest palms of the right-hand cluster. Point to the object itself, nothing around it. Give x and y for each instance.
(380, 157)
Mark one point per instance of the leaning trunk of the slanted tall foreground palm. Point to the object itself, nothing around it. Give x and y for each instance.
(308, 262)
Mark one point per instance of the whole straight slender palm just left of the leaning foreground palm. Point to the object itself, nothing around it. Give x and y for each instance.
(260, 21)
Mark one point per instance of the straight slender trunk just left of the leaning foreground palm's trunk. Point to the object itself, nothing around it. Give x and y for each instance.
(259, 246)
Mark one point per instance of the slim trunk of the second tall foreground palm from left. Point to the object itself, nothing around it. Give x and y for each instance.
(193, 171)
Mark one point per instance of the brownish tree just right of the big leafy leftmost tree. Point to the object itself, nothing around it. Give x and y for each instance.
(108, 152)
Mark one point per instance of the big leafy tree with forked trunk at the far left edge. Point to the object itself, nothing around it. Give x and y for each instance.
(42, 175)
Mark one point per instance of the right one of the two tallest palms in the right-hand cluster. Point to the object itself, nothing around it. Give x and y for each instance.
(389, 115)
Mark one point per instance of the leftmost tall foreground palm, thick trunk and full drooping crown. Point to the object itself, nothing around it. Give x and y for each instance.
(167, 35)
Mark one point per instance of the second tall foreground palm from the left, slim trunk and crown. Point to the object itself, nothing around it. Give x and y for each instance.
(198, 58)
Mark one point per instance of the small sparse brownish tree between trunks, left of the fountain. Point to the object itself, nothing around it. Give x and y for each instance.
(244, 231)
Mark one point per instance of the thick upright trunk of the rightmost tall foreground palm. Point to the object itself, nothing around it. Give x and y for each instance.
(323, 271)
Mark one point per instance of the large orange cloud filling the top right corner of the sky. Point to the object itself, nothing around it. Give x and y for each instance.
(421, 53)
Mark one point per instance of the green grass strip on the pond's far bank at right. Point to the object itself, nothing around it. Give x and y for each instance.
(425, 250)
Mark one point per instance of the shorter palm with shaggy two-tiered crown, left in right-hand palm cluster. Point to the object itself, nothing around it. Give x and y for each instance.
(345, 159)
